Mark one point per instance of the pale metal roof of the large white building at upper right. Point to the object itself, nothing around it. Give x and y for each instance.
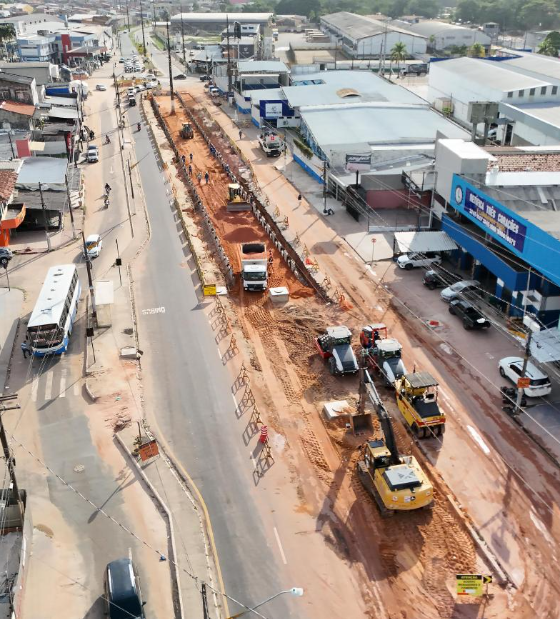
(488, 73)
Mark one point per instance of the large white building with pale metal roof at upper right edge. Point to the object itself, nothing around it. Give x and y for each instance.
(454, 83)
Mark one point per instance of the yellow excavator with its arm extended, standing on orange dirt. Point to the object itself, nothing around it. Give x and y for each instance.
(396, 482)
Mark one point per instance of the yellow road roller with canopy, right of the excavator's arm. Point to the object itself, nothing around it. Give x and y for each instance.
(417, 396)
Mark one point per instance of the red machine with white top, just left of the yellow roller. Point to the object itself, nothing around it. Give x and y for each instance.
(383, 354)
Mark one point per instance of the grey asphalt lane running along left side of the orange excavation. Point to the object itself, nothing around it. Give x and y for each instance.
(185, 377)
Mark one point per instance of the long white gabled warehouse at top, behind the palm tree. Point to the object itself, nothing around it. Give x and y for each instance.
(364, 37)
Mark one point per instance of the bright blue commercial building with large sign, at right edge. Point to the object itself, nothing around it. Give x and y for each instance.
(502, 207)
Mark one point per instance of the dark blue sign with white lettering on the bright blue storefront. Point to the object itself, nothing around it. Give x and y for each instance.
(505, 226)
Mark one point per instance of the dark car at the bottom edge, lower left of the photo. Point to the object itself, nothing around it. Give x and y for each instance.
(122, 590)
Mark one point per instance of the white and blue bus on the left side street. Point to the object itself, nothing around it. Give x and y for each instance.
(50, 325)
